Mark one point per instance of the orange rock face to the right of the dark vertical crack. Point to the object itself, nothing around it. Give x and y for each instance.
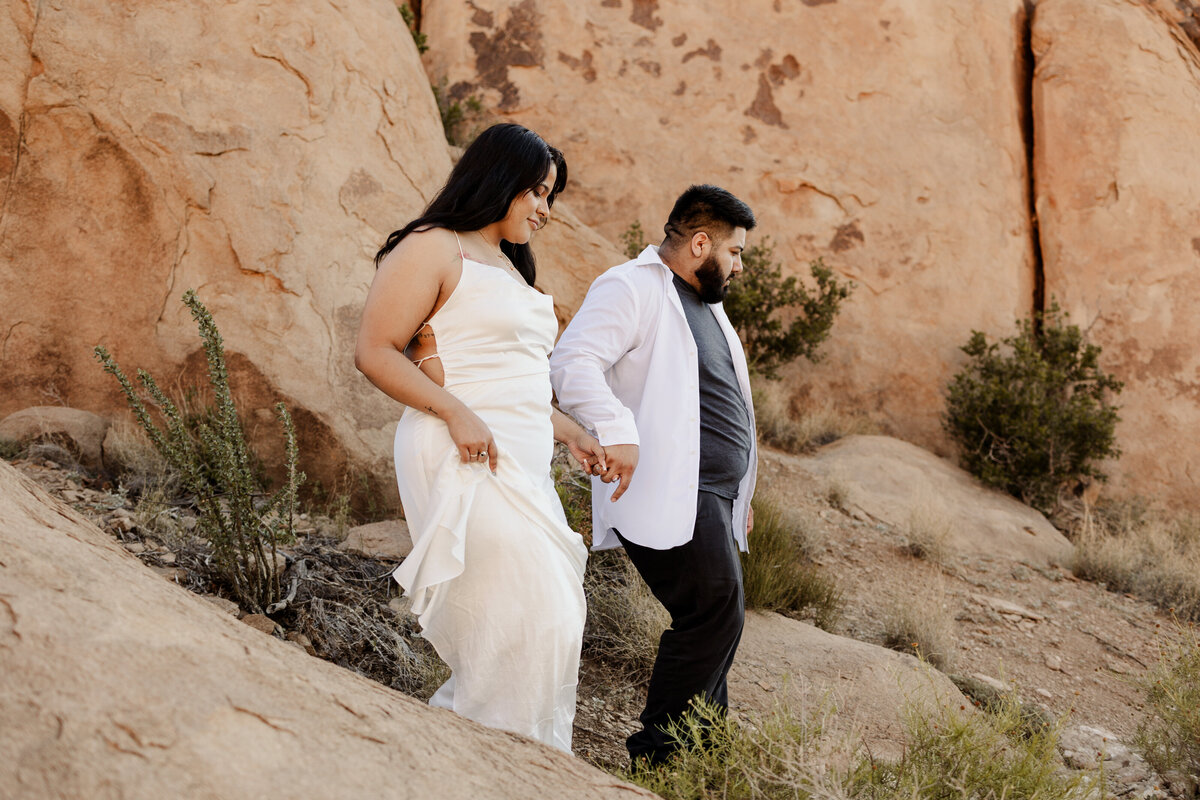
(1118, 171)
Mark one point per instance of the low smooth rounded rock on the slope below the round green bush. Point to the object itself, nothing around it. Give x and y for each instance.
(895, 483)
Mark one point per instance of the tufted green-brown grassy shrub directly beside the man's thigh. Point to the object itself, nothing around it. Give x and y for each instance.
(777, 573)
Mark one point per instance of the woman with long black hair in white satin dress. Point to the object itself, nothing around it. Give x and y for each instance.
(454, 329)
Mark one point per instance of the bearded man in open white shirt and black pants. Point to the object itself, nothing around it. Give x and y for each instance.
(652, 365)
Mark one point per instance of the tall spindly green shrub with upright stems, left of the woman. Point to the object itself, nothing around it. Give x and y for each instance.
(217, 467)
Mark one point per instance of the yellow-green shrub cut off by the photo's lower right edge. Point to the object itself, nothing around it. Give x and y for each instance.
(1171, 738)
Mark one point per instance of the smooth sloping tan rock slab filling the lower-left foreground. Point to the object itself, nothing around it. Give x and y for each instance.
(119, 684)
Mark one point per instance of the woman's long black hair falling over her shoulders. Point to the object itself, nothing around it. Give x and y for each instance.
(503, 163)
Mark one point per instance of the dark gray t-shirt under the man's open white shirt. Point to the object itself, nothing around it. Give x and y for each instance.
(725, 435)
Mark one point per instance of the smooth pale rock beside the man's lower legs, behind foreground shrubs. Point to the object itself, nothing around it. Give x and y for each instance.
(867, 688)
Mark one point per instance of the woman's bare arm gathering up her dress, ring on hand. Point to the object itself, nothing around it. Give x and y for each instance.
(407, 290)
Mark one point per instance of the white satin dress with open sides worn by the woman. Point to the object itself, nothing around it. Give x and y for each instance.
(496, 575)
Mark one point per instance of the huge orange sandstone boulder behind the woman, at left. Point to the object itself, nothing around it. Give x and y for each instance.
(256, 153)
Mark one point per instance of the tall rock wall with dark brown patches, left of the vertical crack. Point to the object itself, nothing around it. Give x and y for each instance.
(886, 137)
